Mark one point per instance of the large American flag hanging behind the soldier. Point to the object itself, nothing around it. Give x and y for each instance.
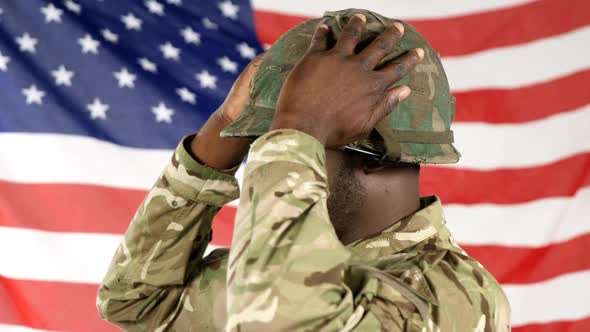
(95, 94)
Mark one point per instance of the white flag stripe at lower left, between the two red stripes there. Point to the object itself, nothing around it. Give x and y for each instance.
(55, 256)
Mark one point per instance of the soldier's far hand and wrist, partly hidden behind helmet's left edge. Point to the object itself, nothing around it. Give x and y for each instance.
(218, 152)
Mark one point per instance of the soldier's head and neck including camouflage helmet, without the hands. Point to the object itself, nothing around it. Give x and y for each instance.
(374, 180)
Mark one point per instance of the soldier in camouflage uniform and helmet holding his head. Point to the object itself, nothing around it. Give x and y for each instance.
(330, 234)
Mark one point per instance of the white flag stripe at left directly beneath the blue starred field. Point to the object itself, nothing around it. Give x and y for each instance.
(57, 158)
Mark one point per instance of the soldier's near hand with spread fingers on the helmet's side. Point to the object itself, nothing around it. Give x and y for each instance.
(336, 95)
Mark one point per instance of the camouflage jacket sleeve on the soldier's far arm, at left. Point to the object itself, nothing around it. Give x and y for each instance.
(164, 243)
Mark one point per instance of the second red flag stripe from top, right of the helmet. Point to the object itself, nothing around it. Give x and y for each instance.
(524, 104)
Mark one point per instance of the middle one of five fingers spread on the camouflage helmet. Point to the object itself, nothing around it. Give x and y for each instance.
(381, 46)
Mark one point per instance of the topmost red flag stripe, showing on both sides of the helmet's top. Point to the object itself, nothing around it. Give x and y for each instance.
(471, 33)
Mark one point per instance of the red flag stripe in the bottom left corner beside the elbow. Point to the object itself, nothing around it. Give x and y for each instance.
(54, 306)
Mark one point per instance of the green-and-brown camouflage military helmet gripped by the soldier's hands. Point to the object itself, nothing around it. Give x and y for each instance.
(416, 131)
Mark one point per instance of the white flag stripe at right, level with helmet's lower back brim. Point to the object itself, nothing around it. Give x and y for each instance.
(486, 147)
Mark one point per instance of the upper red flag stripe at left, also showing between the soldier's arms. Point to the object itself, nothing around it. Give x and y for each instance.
(82, 208)
